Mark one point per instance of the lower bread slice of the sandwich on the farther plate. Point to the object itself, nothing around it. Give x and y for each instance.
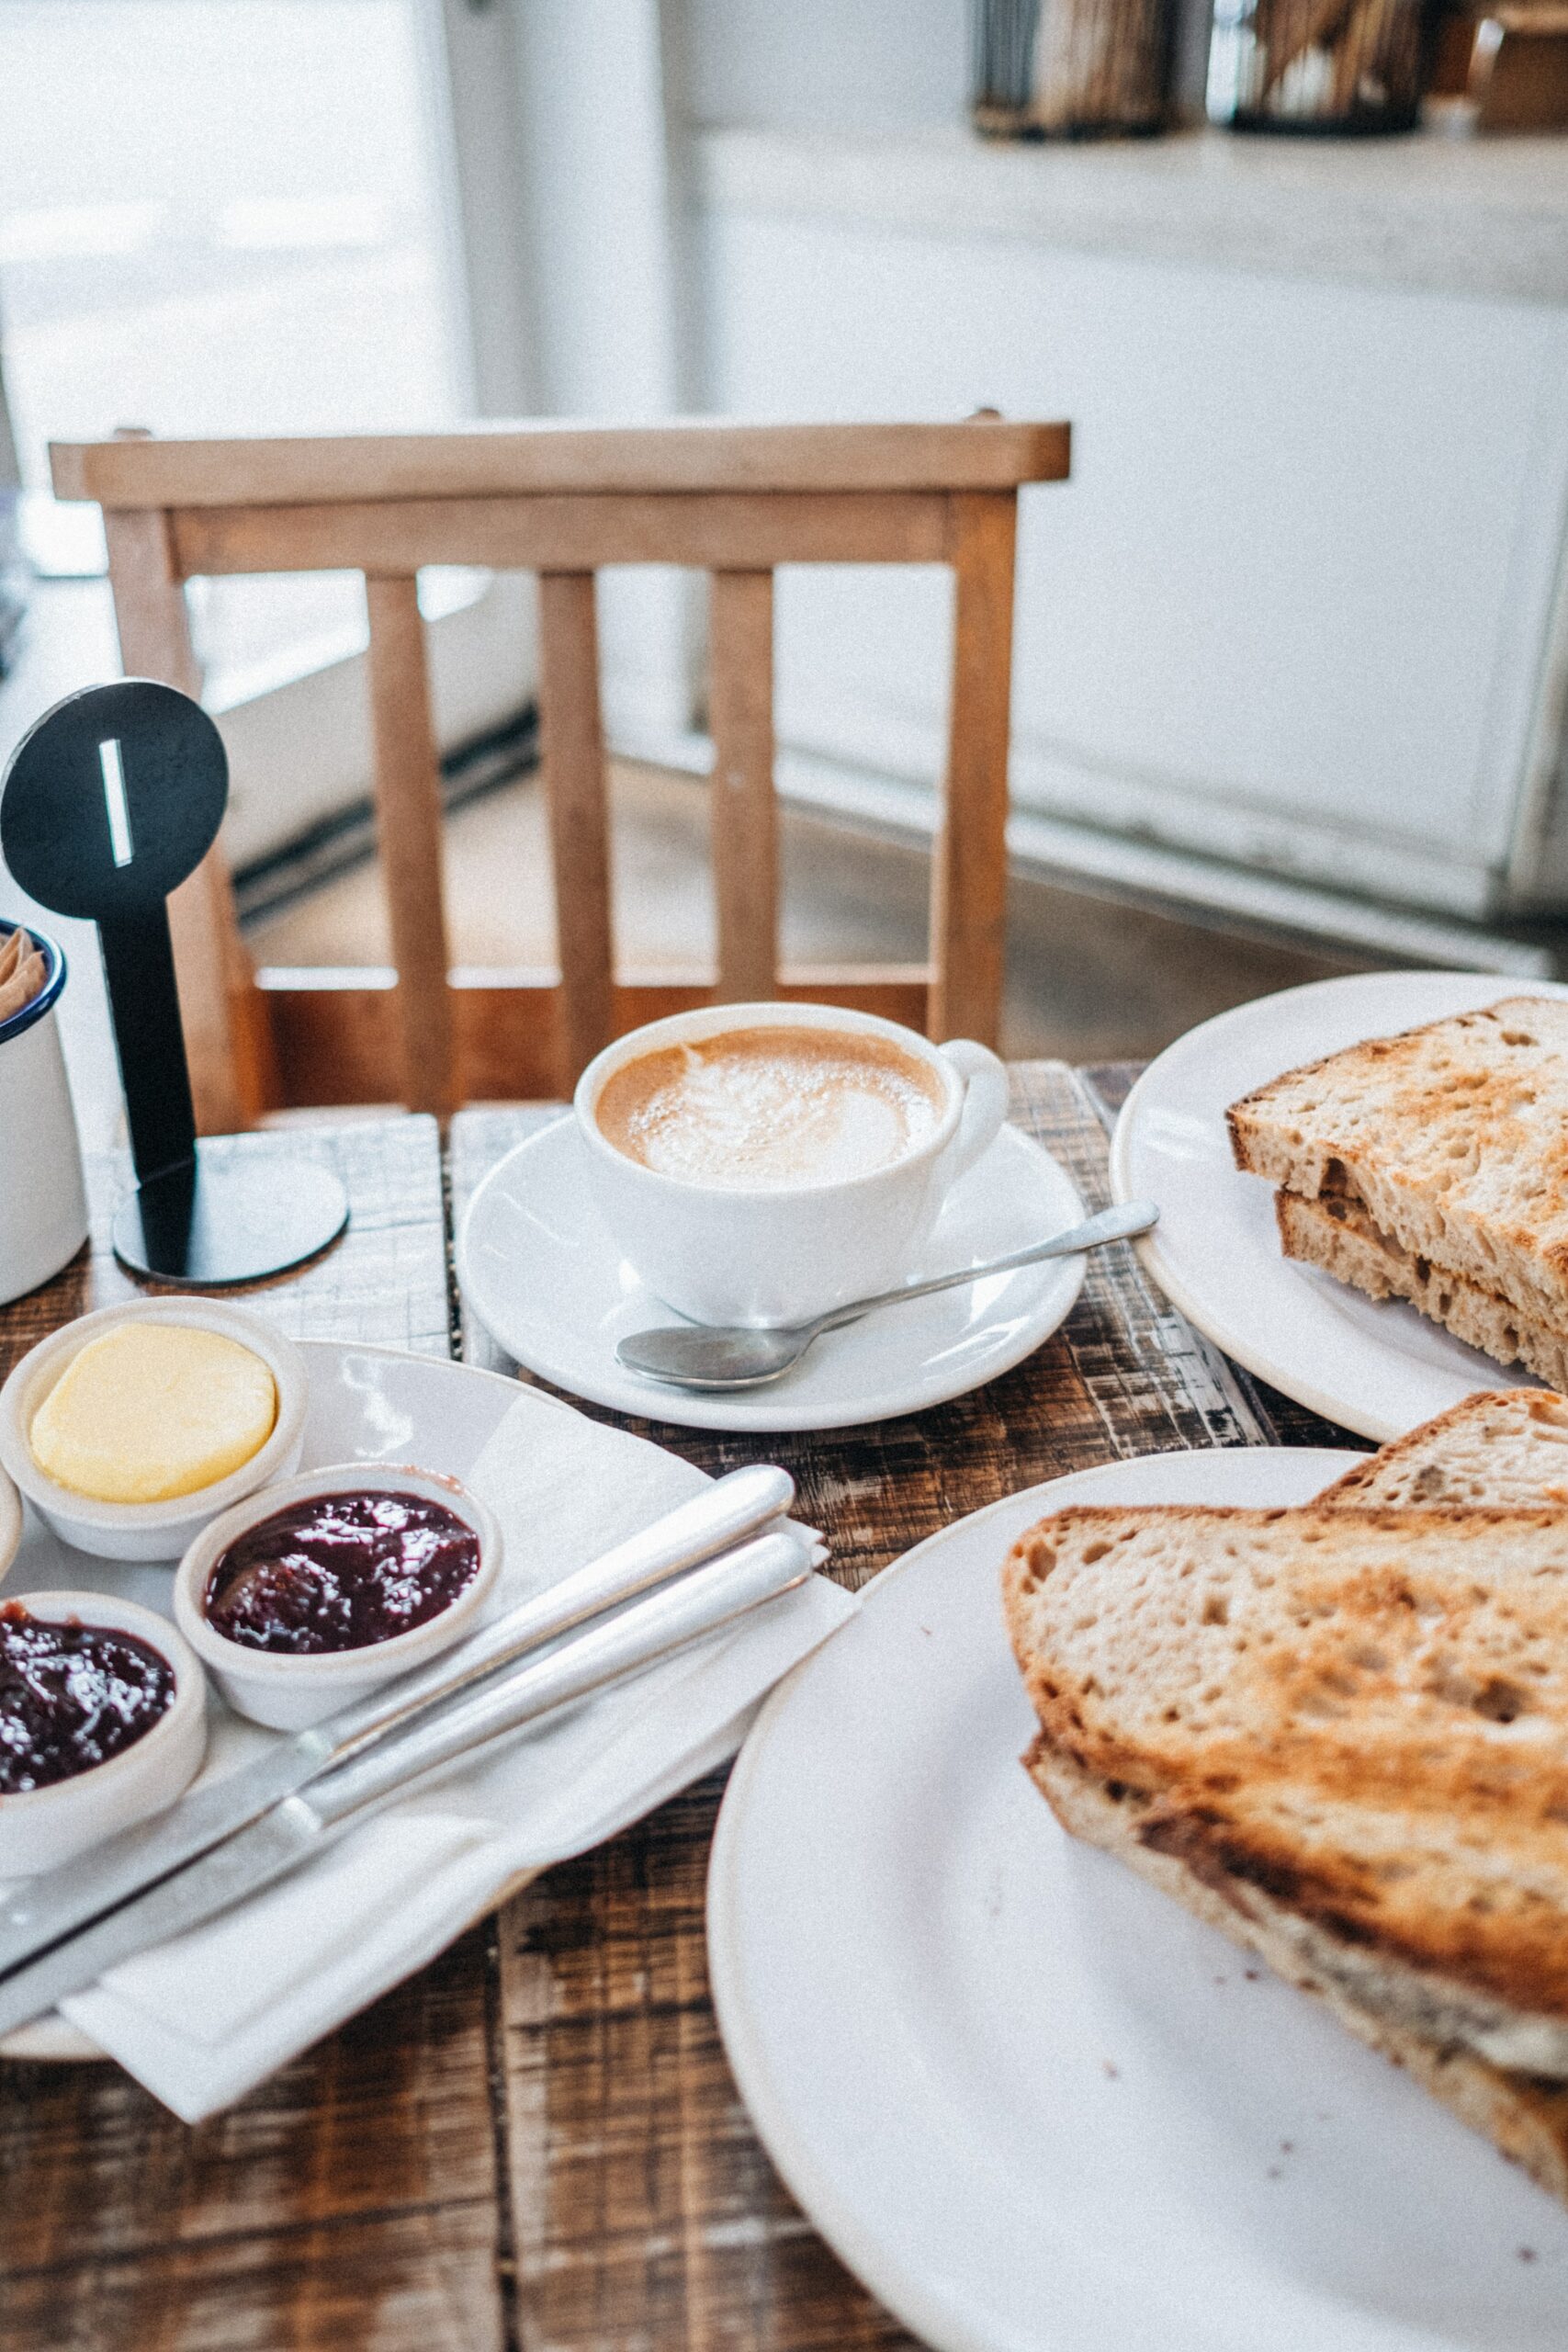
(1343, 1241)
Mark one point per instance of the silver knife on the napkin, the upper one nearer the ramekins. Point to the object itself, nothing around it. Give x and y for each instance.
(58, 1904)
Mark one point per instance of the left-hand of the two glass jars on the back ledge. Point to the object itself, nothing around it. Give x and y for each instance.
(1071, 69)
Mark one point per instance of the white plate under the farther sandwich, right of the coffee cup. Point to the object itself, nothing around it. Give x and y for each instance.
(1374, 1368)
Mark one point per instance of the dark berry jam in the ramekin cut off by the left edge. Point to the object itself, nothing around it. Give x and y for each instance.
(72, 1697)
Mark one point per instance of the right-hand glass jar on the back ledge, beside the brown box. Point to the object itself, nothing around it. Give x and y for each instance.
(1318, 65)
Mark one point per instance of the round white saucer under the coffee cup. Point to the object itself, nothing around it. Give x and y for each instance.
(547, 1278)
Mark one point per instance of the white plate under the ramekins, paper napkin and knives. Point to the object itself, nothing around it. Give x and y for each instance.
(368, 1405)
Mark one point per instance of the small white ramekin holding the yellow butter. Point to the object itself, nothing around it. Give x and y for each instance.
(149, 1530)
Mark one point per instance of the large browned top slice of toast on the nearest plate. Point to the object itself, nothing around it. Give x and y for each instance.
(1351, 1725)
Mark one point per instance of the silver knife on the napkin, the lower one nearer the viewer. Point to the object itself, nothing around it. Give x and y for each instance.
(467, 1730)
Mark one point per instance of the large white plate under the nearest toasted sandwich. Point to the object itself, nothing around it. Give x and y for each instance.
(1028, 2099)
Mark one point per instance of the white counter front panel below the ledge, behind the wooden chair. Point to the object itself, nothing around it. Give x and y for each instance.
(1282, 608)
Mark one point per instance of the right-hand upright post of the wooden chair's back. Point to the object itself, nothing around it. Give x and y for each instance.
(970, 864)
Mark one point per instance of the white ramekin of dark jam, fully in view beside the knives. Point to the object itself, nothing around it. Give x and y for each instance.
(288, 1692)
